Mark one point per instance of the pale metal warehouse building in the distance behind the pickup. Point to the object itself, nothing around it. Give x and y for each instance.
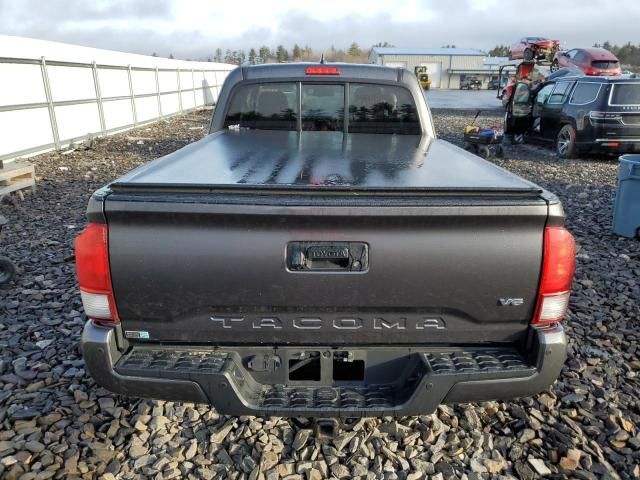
(446, 66)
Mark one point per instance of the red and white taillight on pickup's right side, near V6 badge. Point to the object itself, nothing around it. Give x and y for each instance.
(558, 265)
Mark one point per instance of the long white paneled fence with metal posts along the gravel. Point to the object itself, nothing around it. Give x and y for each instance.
(46, 104)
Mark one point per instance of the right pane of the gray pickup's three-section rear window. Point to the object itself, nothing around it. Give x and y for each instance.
(382, 109)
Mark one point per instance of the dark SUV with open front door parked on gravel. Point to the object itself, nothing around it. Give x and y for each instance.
(578, 114)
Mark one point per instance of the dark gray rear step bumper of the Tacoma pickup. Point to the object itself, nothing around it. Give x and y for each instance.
(220, 377)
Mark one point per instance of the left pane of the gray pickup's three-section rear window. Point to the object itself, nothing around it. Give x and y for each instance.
(265, 106)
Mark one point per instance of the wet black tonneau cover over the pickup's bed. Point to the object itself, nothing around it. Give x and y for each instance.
(249, 159)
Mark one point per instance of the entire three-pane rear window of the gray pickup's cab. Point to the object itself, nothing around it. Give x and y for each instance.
(372, 108)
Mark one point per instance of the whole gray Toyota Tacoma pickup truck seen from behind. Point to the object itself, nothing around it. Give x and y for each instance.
(321, 253)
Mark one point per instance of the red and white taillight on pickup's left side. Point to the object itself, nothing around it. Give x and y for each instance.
(94, 276)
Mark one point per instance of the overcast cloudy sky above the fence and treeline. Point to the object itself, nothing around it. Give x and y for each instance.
(195, 28)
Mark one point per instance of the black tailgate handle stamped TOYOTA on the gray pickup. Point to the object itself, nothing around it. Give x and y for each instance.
(327, 257)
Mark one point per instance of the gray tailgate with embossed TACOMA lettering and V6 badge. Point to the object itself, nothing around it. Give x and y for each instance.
(443, 272)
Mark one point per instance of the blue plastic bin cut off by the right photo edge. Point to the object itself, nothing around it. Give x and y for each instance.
(626, 212)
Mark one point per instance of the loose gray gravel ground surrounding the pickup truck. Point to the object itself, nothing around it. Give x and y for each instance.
(56, 423)
